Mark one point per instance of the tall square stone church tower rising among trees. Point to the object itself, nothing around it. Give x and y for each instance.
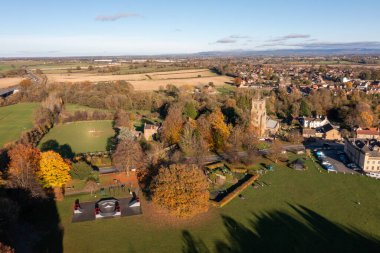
(259, 116)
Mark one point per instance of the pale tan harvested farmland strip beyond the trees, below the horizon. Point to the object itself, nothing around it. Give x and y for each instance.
(149, 81)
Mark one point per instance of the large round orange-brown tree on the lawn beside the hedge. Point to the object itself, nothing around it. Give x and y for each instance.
(181, 189)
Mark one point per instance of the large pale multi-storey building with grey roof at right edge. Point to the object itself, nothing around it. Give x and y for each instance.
(365, 153)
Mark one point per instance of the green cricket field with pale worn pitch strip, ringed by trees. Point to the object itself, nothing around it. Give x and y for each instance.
(82, 137)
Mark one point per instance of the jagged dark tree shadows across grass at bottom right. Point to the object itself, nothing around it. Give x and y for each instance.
(280, 232)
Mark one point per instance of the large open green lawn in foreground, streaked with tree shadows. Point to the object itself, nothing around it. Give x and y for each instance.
(297, 211)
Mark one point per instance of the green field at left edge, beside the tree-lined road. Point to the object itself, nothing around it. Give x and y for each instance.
(14, 120)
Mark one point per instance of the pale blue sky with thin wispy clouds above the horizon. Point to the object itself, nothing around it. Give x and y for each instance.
(148, 27)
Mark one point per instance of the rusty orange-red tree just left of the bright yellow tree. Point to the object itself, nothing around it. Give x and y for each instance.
(24, 163)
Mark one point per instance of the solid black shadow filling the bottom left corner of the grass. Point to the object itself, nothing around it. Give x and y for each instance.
(29, 223)
